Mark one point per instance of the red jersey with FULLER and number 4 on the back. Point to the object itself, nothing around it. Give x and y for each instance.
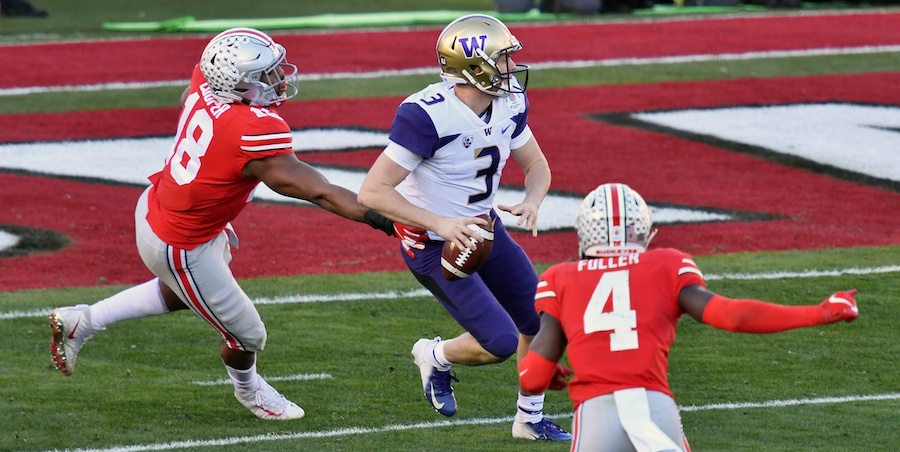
(619, 315)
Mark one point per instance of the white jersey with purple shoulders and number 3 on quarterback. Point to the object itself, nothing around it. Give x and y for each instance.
(455, 157)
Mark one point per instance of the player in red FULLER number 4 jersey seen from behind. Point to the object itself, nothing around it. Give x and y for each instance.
(616, 311)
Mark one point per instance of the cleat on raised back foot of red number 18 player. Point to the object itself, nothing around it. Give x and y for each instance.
(71, 329)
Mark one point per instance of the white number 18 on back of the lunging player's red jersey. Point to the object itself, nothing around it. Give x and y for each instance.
(193, 144)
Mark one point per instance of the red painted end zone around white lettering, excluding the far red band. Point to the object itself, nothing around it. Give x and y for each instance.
(284, 240)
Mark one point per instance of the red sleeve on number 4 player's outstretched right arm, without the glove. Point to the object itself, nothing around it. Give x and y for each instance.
(752, 316)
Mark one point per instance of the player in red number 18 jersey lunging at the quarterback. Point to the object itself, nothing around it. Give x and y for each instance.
(229, 139)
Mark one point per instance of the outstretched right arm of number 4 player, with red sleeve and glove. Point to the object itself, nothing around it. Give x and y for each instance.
(754, 316)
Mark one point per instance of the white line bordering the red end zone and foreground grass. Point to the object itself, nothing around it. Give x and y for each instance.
(416, 293)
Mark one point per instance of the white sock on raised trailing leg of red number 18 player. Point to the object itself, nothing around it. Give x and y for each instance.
(143, 300)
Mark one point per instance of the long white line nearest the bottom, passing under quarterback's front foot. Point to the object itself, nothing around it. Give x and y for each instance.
(351, 431)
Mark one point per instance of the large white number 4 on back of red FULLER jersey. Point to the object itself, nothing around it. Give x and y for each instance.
(621, 320)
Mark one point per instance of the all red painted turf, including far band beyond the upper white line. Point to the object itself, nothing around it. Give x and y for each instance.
(820, 211)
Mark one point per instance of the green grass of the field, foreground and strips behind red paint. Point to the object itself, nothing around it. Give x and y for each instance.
(136, 383)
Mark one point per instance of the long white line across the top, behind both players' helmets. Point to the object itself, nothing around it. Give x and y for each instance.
(612, 62)
